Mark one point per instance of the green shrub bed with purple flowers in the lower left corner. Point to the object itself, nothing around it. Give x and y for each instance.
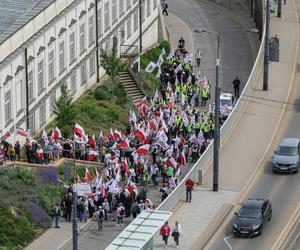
(27, 202)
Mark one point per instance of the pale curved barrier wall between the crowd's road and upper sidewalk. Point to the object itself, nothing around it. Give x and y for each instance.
(202, 163)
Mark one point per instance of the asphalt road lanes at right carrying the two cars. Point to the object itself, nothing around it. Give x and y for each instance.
(282, 189)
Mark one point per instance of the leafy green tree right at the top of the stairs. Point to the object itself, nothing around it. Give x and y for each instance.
(111, 63)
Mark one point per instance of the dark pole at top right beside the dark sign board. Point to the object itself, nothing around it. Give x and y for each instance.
(266, 59)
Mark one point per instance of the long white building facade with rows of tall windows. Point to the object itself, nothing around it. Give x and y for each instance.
(58, 45)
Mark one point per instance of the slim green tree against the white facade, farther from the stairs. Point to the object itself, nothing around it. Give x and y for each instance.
(65, 111)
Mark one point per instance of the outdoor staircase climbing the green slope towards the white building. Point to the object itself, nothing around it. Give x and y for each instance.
(131, 87)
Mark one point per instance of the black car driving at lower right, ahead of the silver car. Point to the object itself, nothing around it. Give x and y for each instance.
(251, 218)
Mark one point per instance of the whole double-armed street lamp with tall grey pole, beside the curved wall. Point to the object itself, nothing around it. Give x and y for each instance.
(217, 104)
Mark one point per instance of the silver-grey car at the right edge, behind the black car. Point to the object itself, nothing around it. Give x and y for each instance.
(287, 158)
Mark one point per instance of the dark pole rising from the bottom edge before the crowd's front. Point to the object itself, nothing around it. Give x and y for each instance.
(74, 219)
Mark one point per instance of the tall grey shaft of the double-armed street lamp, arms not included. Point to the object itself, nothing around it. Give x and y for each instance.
(217, 123)
